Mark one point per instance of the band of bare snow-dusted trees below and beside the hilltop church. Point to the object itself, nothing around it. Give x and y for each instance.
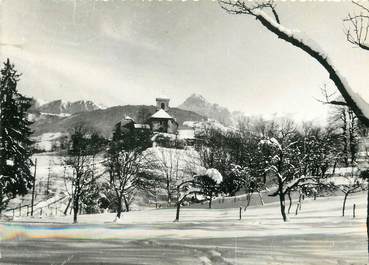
(277, 155)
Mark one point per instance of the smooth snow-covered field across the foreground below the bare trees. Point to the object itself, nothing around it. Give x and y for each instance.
(317, 235)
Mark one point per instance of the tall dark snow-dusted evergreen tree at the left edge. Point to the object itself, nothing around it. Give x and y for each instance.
(15, 143)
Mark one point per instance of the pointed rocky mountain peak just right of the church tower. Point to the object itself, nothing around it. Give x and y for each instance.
(197, 103)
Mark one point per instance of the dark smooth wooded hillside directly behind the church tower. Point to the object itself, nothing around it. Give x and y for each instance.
(103, 120)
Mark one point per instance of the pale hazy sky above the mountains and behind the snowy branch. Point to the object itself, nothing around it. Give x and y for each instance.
(129, 52)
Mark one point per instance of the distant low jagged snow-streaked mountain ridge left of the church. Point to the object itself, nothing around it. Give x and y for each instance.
(65, 107)
